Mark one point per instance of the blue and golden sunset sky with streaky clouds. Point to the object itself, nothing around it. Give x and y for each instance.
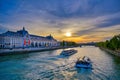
(86, 20)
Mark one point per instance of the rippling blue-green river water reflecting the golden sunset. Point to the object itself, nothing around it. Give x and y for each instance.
(50, 65)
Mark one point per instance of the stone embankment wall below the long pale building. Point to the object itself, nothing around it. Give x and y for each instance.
(26, 50)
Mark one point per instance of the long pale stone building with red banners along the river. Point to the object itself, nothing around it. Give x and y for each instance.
(22, 39)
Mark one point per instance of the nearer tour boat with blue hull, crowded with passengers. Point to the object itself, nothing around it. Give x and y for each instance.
(84, 62)
